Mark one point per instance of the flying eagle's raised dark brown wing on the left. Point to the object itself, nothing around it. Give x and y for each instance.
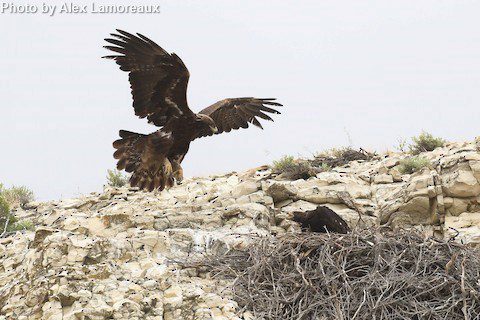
(158, 79)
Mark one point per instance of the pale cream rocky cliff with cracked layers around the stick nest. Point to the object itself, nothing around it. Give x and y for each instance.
(119, 254)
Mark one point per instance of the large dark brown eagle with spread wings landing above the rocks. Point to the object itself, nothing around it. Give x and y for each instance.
(158, 81)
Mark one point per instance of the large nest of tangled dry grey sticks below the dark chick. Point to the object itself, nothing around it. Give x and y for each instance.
(360, 275)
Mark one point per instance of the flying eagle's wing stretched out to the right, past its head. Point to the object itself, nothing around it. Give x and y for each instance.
(235, 113)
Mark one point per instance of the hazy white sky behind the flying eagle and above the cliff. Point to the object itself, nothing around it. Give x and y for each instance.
(372, 70)
